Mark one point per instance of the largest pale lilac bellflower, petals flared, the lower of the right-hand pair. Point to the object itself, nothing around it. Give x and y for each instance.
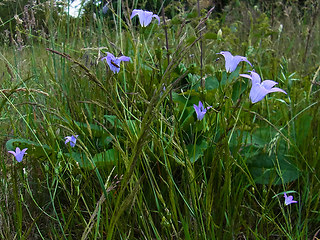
(260, 90)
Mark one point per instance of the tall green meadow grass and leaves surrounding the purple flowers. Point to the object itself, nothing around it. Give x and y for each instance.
(143, 166)
